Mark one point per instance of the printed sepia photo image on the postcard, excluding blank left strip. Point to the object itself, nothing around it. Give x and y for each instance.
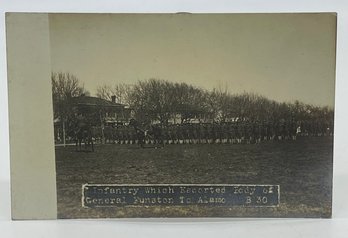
(193, 115)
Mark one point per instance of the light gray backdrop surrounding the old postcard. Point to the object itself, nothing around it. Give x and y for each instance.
(337, 227)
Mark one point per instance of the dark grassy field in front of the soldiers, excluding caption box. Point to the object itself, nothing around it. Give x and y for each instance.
(302, 168)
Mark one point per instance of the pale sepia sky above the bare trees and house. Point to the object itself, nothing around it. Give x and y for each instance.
(284, 57)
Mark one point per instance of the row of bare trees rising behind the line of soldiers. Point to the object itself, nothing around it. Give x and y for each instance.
(161, 100)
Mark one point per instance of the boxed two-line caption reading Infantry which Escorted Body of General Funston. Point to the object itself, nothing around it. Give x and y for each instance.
(110, 195)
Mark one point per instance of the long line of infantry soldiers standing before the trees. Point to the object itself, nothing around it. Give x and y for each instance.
(214, 133)
